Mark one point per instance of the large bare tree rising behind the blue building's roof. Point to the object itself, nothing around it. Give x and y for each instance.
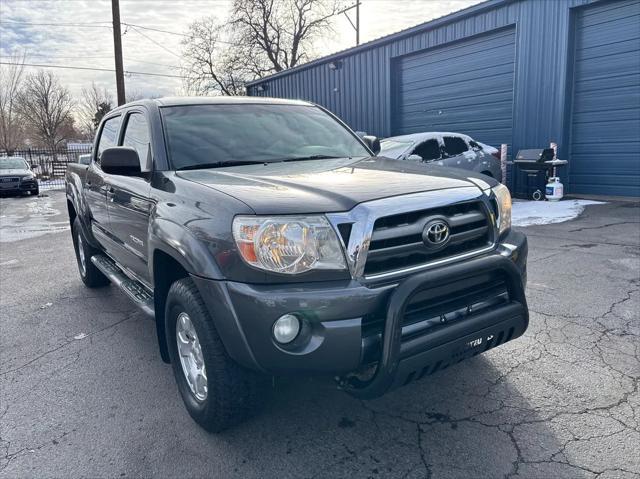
(281, 31)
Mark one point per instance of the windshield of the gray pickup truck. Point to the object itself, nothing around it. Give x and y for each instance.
(223, 135)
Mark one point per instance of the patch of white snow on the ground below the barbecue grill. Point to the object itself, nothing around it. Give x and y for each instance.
(527, 213)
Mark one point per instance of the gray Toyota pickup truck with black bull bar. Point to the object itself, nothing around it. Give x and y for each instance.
(265, 238)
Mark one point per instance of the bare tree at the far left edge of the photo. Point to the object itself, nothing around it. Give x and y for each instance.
(11, 80)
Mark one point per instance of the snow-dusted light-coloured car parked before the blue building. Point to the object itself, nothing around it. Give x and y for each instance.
(446, 149)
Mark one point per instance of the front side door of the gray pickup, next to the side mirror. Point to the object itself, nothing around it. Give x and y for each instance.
(129, 203)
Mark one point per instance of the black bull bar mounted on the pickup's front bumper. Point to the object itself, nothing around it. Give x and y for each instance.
(399, 365)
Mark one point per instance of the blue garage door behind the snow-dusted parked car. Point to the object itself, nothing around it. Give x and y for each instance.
(465, 87)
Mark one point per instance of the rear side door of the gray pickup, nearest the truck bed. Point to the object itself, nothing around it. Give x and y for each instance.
(95, 187)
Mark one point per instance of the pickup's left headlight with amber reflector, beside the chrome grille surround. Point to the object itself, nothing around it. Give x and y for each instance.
(288, 244)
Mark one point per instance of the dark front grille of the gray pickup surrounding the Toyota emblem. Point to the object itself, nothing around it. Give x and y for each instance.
(396, 242)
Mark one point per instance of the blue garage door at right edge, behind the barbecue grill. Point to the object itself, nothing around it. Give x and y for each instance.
(605, 140)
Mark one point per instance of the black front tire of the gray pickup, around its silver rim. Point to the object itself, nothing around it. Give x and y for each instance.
(234, 392)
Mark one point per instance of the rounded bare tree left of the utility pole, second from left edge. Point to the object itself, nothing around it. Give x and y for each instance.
(46, 107)
